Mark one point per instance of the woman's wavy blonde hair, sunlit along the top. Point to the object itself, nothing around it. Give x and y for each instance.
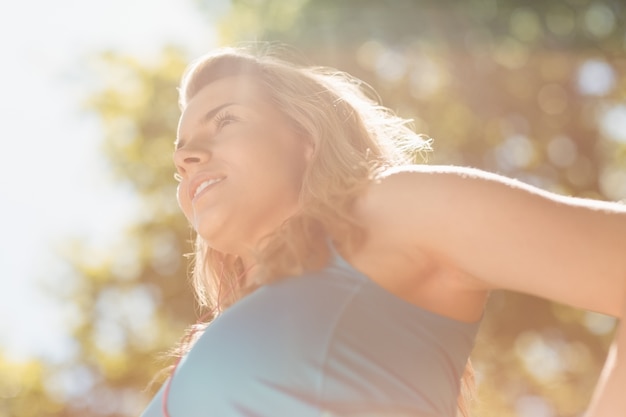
(355, 138)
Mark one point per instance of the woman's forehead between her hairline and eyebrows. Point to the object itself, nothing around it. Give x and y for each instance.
(240, 89)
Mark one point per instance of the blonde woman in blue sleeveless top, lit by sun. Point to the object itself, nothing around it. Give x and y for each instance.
(344, 280)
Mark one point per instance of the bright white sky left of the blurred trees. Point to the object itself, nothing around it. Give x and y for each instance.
(53, 180)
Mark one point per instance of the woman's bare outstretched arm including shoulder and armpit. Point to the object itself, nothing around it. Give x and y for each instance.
(444, 236)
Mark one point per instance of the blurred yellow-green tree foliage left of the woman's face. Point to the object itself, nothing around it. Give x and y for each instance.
(131, 302)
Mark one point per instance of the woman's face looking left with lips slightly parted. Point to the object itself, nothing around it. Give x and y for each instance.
(240, 163)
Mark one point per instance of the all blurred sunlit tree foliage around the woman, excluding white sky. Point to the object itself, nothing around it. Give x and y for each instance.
(532, 90)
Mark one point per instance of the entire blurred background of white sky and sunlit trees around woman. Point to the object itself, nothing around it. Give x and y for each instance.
(93, 288)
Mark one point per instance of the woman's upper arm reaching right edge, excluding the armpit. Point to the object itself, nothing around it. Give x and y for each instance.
(509, 235)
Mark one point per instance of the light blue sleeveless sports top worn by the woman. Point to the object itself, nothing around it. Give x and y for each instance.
(326, 343)
